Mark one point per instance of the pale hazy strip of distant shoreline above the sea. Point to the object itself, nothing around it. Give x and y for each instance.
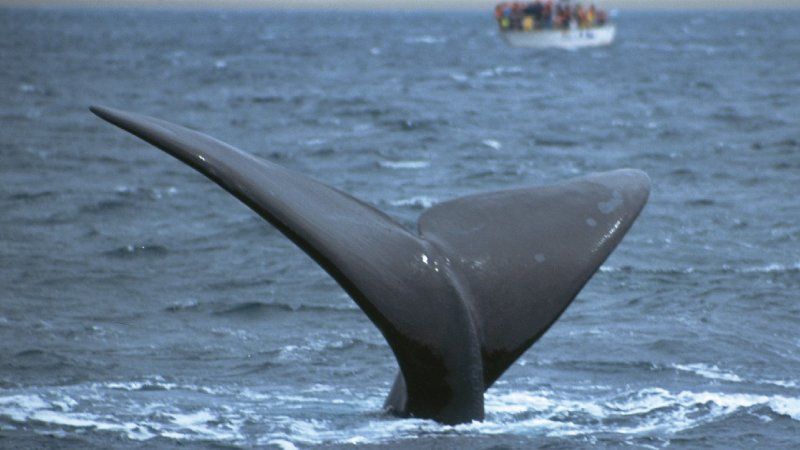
(407, 4)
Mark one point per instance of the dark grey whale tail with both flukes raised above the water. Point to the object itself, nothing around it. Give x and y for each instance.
(458, 301)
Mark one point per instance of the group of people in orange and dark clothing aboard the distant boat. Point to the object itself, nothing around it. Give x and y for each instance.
(538, 15)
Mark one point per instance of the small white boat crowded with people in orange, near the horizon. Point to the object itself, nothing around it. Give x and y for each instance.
(553, 25)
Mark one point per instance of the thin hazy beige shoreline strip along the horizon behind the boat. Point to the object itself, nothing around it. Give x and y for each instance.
(397, 5)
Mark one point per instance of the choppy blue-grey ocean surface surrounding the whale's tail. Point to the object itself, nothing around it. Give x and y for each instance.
(143, 307)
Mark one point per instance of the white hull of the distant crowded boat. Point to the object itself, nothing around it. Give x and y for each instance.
(569, 39)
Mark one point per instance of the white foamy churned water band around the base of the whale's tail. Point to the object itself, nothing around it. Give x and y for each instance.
(648, 412)
